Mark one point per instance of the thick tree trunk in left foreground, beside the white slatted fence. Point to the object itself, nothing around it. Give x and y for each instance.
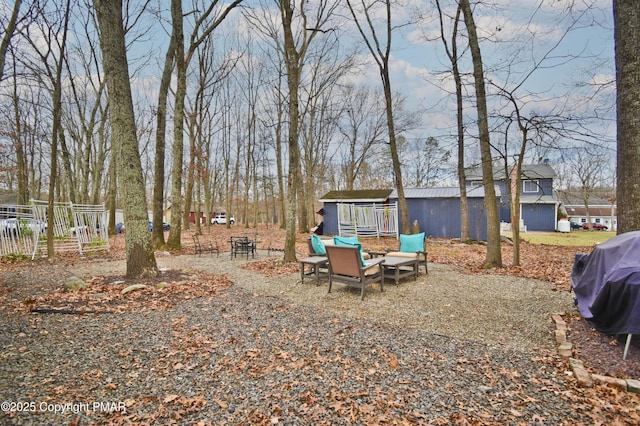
(141, 261)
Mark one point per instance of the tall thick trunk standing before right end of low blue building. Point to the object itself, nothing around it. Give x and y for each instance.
(494, 253)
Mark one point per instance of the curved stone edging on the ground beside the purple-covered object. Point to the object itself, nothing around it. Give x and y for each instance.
(565, 349)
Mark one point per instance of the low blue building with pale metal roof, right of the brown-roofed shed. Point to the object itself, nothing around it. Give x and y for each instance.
(437, 211)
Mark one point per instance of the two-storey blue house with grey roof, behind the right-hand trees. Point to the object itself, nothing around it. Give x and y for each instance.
(538, 204)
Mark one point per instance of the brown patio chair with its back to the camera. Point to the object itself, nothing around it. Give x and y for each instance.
(347, 266)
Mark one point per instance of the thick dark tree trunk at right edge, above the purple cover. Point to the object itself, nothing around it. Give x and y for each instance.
(626, 14)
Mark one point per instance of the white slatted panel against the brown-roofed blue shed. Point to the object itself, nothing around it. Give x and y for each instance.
(377, 220)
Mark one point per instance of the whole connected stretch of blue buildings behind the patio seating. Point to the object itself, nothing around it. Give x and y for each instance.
(437, 210)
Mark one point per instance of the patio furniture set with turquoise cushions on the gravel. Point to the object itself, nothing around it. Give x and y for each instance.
(344, 261)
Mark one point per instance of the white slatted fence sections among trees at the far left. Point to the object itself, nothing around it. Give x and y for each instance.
(76, 227)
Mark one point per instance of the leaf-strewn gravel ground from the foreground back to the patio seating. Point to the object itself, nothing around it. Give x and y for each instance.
(445, 349)
